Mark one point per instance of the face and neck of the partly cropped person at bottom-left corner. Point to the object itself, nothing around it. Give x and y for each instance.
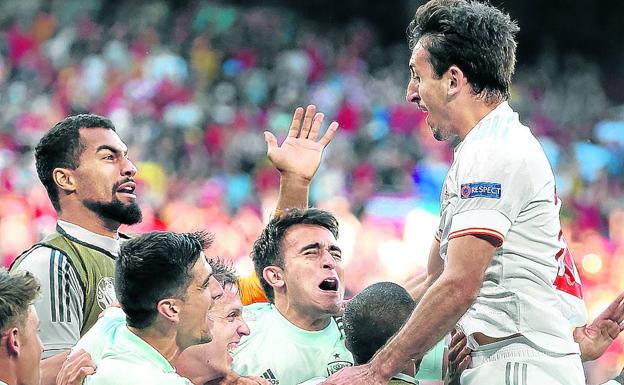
(30, 352)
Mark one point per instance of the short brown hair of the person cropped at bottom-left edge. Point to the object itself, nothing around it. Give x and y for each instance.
(18, 290)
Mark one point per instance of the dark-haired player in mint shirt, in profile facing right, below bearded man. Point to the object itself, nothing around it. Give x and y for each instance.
(165, 286)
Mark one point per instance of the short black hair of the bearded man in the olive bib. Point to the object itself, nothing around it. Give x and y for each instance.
(61, 147)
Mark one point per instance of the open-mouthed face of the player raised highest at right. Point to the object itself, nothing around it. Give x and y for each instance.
(428, 91)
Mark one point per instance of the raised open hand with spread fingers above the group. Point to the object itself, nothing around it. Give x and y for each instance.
(300, 153)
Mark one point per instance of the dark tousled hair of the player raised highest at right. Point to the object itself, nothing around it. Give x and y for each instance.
(476, 37)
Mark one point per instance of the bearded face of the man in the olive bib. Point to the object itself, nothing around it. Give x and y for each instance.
(105, 177)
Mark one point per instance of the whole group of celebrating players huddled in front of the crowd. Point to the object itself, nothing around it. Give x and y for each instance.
(88, 304)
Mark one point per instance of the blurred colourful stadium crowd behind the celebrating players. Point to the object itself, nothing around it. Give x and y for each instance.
(191, 86)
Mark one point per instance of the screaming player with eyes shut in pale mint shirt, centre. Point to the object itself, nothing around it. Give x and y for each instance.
(296, 336)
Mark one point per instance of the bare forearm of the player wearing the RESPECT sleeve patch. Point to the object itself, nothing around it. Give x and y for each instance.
(437, 313)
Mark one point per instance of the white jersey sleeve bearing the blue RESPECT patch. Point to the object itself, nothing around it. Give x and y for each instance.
(493, 184)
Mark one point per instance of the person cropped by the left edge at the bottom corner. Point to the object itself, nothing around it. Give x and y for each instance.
(20, 346)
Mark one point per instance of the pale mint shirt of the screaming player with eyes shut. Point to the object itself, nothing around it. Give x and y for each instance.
(284, 354)
